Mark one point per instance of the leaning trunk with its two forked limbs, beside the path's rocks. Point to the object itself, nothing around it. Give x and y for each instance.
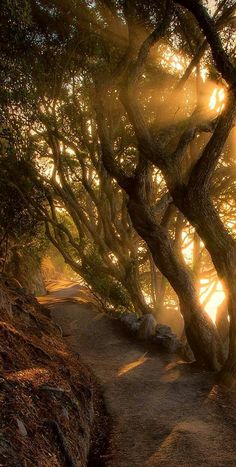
(201, 333)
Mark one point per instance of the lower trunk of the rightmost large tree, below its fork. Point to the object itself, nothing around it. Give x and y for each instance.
(201, 213)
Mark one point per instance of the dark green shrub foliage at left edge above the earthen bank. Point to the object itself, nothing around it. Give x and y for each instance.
(22, 238)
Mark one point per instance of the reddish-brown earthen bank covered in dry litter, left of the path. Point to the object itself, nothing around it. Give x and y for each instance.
(50, 403)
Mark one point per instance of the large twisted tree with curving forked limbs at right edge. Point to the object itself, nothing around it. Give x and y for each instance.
(189, 186)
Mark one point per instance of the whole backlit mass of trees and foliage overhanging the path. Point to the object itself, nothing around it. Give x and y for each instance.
(117, 135)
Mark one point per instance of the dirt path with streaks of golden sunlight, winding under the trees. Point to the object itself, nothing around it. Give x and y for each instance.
(164, 413)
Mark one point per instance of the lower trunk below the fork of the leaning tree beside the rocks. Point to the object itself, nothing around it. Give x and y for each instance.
(201, 333)
